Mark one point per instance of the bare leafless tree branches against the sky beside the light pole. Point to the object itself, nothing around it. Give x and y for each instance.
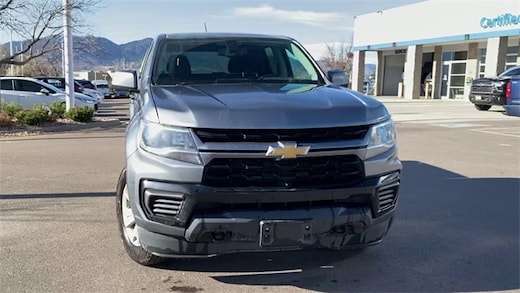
(40, 24)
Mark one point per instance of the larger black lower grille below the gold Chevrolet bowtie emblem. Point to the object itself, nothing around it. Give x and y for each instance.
(299, 172)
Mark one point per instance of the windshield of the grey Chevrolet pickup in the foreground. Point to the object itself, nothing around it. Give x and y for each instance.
(232, 60)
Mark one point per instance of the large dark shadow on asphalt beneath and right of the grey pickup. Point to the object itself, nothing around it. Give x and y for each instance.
(451, 233)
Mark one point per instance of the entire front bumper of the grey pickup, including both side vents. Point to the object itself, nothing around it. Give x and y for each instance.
(177, 216)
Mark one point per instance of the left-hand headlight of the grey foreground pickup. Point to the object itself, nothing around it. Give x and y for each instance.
(170, 142)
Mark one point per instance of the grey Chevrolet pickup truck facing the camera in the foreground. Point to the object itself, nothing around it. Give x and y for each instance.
(240, 142)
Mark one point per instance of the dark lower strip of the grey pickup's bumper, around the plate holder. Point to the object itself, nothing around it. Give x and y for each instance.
(334, 228)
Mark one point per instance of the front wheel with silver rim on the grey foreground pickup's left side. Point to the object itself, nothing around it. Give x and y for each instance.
(127, 227)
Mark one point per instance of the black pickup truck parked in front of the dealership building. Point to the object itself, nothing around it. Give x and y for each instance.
(492, 91)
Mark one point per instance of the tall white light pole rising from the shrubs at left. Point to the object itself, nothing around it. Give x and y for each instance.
(67, 52)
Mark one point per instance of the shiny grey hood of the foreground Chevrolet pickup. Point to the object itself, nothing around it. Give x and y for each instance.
(264, 105)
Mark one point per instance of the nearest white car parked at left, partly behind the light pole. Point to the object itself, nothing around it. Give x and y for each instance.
(28, 92)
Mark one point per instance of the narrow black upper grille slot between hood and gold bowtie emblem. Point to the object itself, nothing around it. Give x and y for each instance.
(273, 135)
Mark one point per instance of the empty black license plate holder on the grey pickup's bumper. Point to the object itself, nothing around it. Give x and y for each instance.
(285, 233)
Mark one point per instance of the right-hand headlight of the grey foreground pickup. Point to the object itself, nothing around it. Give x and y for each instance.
(382, 138)
